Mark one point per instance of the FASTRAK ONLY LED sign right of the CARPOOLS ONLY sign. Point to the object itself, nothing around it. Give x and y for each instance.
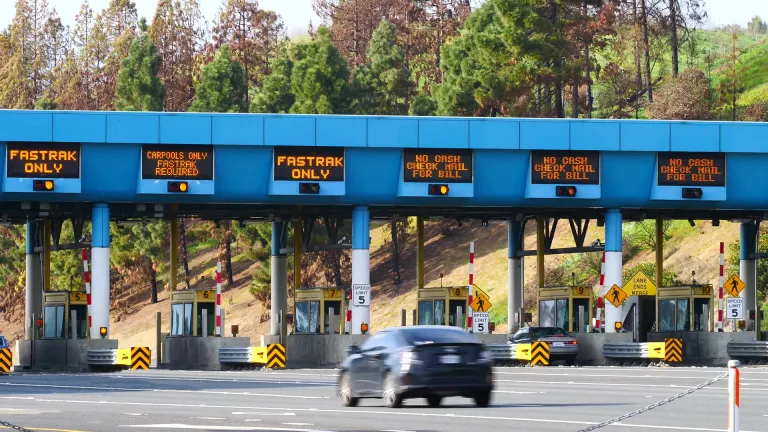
(309, 163)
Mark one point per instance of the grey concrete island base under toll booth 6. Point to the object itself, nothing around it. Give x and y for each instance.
(197, 353)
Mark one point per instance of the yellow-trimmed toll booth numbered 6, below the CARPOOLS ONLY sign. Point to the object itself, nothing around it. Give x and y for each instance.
(187, 310)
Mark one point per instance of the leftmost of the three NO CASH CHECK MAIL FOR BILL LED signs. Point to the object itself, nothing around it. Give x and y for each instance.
(437, 165)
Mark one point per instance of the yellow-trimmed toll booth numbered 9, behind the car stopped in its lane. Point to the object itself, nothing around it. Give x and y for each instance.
(559, 307)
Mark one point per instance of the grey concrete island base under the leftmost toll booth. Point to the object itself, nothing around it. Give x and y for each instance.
(58, 354)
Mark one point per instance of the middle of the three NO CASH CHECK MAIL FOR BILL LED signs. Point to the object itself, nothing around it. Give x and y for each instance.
(565, 167)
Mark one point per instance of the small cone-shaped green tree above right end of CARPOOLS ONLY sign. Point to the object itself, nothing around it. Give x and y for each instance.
(222, 86)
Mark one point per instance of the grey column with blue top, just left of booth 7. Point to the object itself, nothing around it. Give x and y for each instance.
(279, 278)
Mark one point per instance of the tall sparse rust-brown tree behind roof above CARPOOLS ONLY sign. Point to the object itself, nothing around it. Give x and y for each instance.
(178, 33)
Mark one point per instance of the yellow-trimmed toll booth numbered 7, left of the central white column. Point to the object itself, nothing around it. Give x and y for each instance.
(313, 309)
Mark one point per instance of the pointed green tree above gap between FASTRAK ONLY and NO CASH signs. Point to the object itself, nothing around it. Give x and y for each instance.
(385, 80)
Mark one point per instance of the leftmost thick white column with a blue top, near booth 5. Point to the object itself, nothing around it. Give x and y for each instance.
(100, 243)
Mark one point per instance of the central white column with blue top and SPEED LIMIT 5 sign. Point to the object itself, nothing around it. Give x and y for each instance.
(361, 268)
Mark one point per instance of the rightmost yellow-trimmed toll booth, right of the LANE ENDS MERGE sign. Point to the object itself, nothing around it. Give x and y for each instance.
(685, 308)
